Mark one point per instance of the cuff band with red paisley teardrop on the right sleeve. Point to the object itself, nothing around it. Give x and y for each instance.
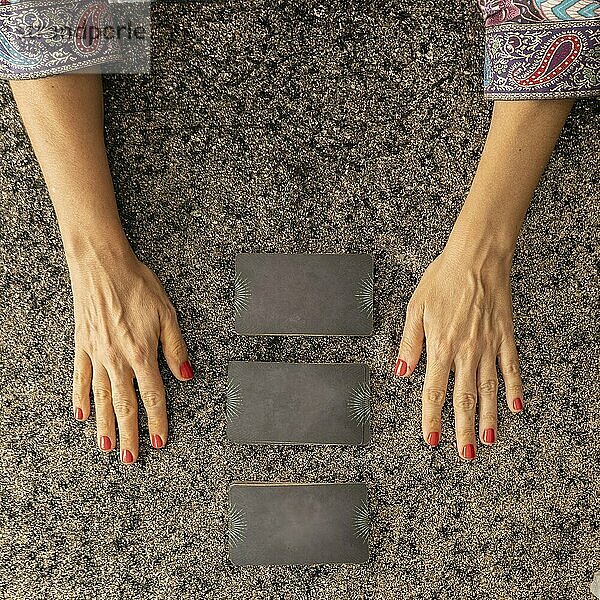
(527, 61)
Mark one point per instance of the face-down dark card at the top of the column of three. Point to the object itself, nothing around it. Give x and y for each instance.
(304, 294)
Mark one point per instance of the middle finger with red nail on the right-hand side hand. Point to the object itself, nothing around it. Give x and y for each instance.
(465, 401)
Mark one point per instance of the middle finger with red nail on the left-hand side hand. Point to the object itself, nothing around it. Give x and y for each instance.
(125, 407)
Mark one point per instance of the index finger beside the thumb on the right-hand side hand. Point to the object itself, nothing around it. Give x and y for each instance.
(434, 394)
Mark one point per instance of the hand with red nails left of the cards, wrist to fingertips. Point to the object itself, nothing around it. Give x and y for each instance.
(121, 314)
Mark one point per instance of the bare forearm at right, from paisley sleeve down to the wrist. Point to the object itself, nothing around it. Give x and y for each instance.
(520, 141)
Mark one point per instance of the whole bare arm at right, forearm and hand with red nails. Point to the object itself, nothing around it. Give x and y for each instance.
(462, 306)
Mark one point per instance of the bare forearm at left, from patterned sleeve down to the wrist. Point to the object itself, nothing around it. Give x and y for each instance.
(63, 116)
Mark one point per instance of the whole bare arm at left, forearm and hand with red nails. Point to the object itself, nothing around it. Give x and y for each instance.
(121, 311)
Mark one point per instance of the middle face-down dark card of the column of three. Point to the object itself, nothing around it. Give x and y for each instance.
(298, 403)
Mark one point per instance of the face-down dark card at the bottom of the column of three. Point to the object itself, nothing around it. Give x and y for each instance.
(298, 524)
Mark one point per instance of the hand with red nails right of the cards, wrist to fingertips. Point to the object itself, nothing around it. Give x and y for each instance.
(462, 308)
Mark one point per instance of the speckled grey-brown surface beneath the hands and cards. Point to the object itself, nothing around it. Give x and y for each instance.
(335, 128)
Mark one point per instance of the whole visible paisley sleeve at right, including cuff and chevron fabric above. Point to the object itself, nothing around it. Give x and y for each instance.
(539, 49)
